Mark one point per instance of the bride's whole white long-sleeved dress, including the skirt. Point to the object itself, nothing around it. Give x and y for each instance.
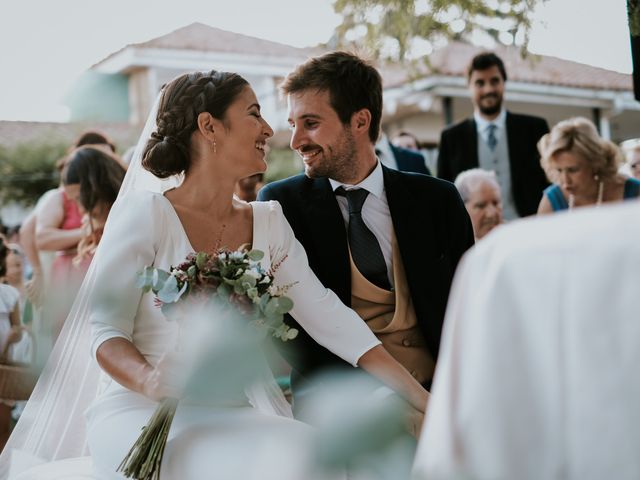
(204, 442)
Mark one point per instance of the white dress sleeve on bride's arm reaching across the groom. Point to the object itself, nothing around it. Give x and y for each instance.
(317, 309)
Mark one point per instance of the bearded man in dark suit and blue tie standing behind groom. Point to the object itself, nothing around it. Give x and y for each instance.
(496, 139)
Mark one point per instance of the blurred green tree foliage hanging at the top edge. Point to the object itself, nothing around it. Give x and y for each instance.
(407, 29)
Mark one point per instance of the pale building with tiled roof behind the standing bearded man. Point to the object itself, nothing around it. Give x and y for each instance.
(549, 87)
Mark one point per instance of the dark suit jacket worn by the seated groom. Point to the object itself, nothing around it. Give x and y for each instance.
(432, 228)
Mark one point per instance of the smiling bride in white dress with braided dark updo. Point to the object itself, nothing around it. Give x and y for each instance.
(208, 128)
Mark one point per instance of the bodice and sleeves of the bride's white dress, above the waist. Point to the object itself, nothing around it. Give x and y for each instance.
(151, 234)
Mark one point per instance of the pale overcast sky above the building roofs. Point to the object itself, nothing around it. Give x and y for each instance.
(45, 45)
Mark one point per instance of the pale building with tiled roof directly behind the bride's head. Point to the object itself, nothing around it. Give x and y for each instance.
(151, 64)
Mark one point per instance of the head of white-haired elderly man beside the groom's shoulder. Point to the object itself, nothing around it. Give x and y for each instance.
(480, 193)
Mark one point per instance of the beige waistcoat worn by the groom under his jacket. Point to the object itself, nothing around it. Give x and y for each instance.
(391, 316)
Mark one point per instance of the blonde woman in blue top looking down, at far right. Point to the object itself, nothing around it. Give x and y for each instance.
(583, 167)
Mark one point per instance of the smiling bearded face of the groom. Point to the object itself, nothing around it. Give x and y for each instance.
(326, 145)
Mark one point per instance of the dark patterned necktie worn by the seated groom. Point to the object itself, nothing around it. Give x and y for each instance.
(365, 249)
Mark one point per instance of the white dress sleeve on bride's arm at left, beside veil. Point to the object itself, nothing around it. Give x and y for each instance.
(129, 243)
